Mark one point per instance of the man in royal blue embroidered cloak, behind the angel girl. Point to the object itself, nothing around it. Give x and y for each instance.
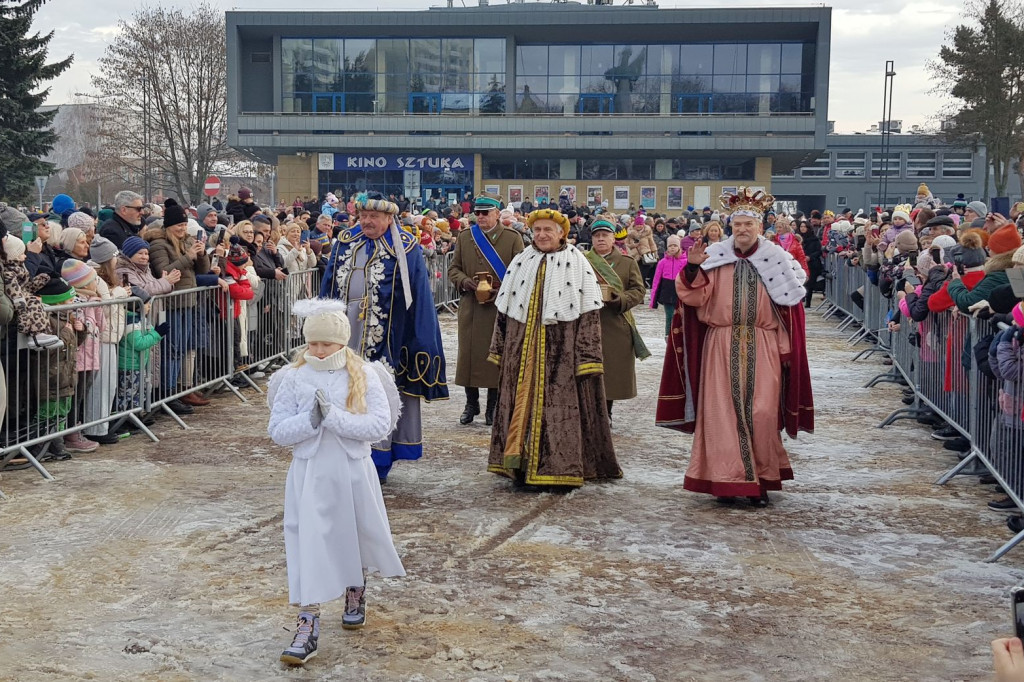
(391, 309)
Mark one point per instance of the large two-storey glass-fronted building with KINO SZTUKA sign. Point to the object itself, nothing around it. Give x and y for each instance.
(628, 105)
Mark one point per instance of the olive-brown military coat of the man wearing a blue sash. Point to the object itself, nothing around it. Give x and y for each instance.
(477, 321)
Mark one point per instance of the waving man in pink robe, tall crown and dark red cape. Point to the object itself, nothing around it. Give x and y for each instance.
(736, 370)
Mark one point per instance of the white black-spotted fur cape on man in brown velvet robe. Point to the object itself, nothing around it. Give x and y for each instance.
(570, 286)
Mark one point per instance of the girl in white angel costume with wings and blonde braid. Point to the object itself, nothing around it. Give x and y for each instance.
(329, 406)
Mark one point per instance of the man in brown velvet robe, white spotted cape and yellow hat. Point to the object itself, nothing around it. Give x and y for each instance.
(551, 424)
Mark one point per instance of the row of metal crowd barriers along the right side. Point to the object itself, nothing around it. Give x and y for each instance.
(957, 369)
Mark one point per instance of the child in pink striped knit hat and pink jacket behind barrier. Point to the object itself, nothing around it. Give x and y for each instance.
(83, 279)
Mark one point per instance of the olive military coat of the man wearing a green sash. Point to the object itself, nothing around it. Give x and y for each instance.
(617, 339)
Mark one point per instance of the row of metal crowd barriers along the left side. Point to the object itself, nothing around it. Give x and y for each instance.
(162, 351)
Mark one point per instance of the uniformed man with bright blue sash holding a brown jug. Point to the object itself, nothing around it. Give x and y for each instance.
(482, 255)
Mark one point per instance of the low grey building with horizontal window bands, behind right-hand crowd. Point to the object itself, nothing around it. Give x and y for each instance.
(854, 173)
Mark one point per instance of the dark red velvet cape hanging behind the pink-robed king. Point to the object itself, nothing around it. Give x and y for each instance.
(680, 390)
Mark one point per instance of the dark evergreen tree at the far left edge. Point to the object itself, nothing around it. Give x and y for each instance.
(25, 132)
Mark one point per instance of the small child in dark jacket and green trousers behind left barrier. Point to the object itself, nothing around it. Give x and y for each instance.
(56, 373)
